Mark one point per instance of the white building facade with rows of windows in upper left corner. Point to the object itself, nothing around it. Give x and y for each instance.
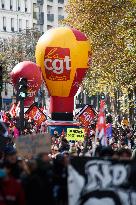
(15, 16)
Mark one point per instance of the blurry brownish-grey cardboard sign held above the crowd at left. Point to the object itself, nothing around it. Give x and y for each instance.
(33, 144)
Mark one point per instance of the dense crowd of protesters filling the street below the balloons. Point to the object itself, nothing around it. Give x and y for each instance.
(43, 178)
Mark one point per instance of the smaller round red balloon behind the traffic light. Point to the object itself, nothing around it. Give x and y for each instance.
(32, 72)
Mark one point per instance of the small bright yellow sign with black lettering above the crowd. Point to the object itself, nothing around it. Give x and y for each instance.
(75, 134)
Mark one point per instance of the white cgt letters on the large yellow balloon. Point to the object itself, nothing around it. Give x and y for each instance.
(57, 65)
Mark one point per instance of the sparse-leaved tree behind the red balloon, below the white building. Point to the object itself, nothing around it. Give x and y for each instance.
(17, 48)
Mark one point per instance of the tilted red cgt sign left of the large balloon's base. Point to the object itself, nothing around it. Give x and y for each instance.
(36, 114)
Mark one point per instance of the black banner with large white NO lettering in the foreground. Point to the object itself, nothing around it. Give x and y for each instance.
(101, 182)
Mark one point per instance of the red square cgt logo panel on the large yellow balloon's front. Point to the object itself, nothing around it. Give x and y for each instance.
(57, 63)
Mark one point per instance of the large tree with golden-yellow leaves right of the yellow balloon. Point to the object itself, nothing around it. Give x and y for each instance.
(110, 25)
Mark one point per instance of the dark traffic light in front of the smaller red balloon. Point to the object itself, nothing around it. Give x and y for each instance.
(22, 88)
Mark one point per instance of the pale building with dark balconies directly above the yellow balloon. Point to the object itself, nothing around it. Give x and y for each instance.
(48, 13)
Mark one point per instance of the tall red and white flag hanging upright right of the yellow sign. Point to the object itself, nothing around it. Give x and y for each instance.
(101, 125)
